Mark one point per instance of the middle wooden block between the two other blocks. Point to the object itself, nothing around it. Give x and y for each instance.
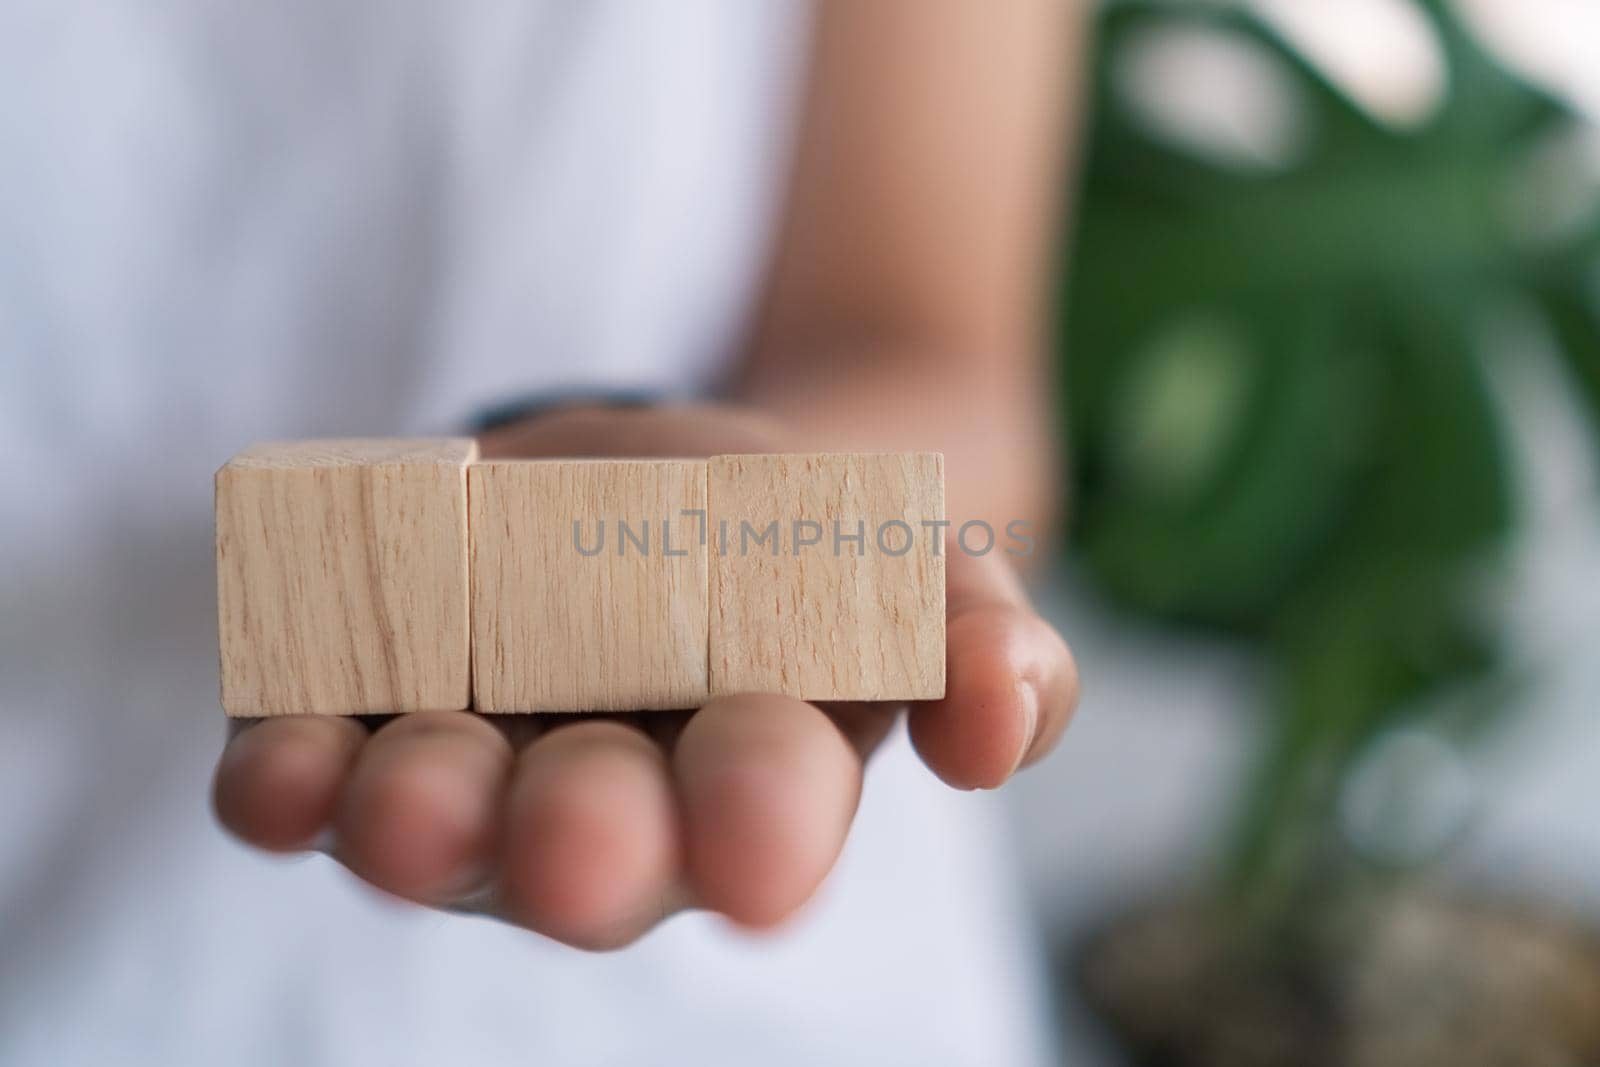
(558, 629)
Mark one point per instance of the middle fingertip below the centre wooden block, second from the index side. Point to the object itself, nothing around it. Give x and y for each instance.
(593, 836)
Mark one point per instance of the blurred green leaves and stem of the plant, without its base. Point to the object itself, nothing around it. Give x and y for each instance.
(1279, 414)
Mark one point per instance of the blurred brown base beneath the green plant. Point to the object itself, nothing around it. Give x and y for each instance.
(1428, 981)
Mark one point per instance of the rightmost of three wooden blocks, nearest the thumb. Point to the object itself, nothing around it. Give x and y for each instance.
(791, 617)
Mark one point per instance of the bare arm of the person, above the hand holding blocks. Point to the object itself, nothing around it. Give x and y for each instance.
(911, 284)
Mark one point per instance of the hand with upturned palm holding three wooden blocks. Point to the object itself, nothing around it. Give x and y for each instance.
(593, 829)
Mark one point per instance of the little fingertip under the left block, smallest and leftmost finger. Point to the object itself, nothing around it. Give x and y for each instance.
(279, 780)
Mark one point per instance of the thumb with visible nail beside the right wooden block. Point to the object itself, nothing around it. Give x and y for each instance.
(1012, 684)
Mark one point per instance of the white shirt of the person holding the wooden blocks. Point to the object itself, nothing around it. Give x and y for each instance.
(225, 223)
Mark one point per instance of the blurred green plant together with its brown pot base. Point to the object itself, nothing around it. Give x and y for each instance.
(1282, 426)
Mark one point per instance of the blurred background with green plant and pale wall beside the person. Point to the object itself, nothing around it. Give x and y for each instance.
(1332, 364)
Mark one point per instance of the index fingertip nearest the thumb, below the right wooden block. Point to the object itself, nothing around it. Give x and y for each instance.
(769, 788)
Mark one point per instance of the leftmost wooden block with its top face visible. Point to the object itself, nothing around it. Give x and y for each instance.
(343, 577)
